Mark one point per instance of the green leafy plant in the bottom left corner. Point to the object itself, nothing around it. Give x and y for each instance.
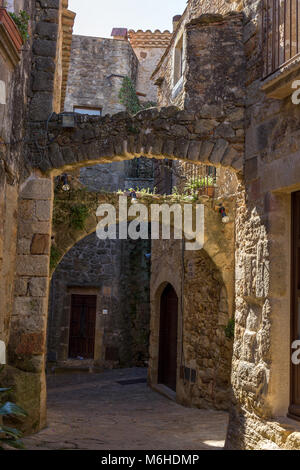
(10, 436)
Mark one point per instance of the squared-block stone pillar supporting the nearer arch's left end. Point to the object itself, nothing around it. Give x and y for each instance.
(27, 344)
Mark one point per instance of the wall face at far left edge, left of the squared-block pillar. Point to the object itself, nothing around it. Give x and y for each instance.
(14, 77)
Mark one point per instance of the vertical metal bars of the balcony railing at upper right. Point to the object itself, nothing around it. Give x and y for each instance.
(281, 33)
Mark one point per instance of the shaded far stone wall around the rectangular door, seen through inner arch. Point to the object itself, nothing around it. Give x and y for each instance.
(117, 272)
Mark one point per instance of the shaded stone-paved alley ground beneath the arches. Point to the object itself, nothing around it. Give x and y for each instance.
(94, 411)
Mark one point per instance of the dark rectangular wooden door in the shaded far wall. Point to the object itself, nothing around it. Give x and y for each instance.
(82, 326)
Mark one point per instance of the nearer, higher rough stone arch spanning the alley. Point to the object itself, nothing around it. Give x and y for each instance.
(156, 133)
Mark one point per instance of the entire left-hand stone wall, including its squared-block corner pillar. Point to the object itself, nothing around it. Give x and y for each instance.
(25, 209)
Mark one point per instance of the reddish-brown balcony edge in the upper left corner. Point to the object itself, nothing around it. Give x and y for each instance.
(10, 38)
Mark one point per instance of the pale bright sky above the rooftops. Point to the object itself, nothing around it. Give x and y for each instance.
(99, 17)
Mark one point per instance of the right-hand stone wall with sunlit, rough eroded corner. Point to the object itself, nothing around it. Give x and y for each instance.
(262, 356)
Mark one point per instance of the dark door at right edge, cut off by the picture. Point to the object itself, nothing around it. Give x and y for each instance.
(295, 296)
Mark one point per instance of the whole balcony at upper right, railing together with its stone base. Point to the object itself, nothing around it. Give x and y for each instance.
(281, 46)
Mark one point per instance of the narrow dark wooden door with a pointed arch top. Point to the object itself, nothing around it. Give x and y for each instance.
(167, 368)
